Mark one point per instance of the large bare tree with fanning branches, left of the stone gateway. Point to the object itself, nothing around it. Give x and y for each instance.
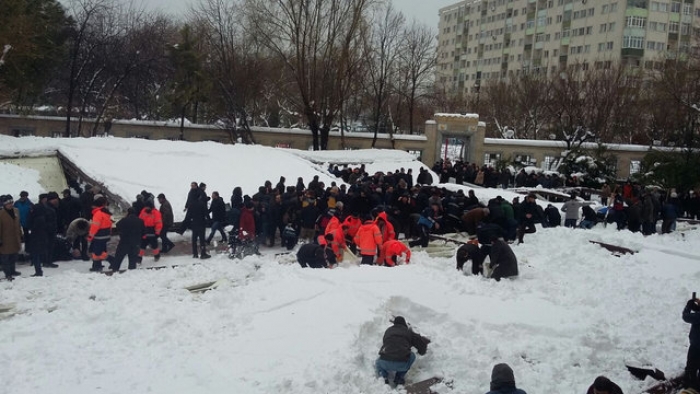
(313, 39)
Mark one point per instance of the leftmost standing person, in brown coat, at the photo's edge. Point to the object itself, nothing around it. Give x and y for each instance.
(10, 236)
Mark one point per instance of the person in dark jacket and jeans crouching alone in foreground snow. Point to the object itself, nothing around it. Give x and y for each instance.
(395, 354)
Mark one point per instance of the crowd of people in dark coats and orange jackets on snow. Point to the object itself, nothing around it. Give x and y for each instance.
(365, 216)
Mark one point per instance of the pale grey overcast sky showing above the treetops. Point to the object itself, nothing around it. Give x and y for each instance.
(425, 11)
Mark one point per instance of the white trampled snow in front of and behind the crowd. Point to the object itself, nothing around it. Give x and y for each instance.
(575, 312)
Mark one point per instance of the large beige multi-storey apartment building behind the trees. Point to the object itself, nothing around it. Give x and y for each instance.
(480, 40)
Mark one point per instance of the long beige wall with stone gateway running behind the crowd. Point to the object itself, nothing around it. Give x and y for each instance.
(465, 127)
